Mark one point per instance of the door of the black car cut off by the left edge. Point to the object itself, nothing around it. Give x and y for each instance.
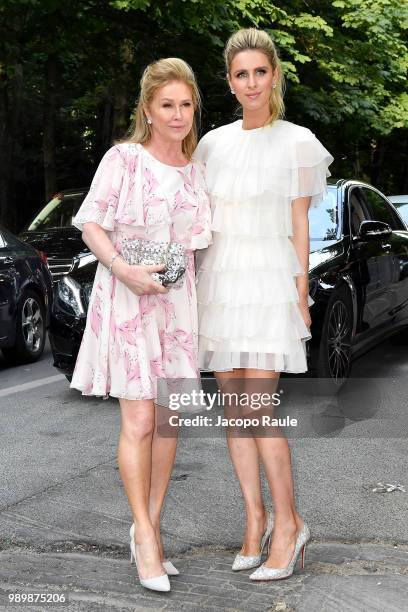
(7, 289)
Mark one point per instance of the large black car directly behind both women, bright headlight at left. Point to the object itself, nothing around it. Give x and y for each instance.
(358, 278)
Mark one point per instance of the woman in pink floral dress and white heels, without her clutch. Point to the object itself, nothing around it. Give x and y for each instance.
(137, 331)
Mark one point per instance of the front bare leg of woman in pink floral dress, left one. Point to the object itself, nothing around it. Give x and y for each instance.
(135, 462)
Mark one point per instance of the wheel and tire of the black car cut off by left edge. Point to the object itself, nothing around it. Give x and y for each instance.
(30, 330)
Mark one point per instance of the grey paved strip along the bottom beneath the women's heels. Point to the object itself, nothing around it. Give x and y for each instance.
(337, 577)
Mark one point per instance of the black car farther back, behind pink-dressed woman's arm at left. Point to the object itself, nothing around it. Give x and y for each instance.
(51, 231)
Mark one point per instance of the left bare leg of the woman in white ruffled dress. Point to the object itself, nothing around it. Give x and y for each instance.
(245, 458)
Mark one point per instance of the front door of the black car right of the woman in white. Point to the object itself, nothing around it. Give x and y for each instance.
(364, 259)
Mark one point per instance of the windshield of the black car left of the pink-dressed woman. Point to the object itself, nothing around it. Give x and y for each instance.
(59, 212)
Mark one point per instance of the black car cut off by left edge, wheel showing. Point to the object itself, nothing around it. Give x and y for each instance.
(25, 299)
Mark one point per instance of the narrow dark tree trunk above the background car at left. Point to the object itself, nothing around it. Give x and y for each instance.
(50, 111)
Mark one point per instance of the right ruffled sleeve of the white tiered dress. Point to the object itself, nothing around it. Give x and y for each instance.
(312, 161)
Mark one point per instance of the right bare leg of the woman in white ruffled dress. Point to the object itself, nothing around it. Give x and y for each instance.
(275, 455)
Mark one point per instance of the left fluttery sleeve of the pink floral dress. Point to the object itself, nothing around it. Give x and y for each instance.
(101, 202)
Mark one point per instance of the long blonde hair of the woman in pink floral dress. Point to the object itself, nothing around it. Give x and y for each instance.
(155, 76)
